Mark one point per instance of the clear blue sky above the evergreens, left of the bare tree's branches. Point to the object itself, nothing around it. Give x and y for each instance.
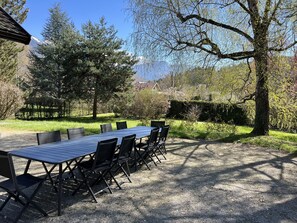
(80, 11)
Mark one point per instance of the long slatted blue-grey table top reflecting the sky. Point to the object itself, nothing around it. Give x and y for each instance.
(60, 152)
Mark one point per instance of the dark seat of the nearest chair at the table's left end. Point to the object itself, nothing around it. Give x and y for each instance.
(24, 181)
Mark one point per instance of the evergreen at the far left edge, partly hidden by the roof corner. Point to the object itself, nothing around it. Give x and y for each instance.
(9, 50)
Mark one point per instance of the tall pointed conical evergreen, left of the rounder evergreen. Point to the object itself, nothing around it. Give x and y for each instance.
(53, 63)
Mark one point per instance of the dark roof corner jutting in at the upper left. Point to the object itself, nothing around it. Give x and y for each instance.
(11, 30)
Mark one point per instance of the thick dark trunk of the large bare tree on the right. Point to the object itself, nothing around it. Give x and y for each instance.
(261, 125)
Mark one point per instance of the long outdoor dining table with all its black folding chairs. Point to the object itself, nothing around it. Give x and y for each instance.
(87, 160)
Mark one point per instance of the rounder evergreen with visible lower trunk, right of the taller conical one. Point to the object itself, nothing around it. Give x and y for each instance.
(107, 67)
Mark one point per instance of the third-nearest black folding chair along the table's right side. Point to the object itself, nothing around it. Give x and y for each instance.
(148, 148)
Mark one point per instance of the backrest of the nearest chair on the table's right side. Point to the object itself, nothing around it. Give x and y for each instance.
(105, 152)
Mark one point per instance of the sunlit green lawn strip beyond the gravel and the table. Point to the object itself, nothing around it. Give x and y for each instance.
(181, 129)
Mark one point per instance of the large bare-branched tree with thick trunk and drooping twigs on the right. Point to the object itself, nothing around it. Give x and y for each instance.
(225, 29)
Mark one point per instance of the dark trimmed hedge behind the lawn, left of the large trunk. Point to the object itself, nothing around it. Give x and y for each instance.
(210, 111)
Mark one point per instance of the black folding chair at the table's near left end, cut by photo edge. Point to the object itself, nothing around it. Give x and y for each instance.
(15, 185)
